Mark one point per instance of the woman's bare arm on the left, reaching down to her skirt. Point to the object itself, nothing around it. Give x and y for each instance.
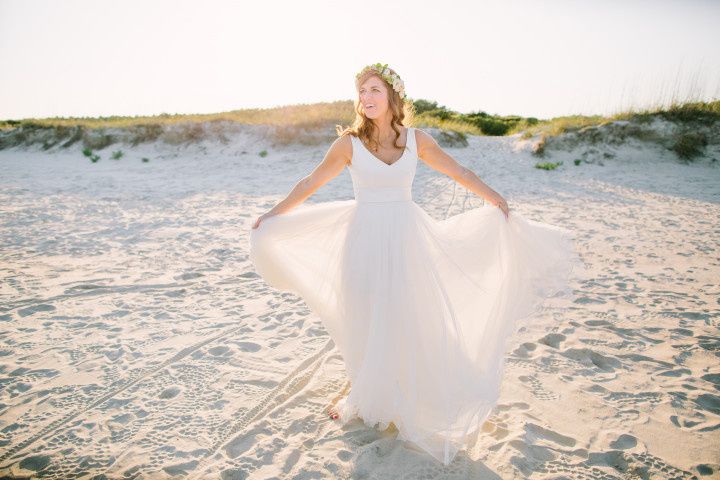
(337, 156)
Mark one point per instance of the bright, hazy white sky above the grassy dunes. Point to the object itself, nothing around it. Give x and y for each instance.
(541, 58)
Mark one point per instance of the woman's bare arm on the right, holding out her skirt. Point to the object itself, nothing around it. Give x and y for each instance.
(436, 158)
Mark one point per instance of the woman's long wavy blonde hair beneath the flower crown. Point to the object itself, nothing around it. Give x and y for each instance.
(403, 111)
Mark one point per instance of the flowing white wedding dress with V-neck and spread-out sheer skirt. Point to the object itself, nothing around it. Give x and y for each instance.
(420, 309)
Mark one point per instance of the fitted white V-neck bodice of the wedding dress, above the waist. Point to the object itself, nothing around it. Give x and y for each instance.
(376, 181)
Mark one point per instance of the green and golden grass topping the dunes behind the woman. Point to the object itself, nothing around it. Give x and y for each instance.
(294, 123)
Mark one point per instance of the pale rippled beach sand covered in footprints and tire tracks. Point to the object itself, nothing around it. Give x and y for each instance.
(137, 342)
